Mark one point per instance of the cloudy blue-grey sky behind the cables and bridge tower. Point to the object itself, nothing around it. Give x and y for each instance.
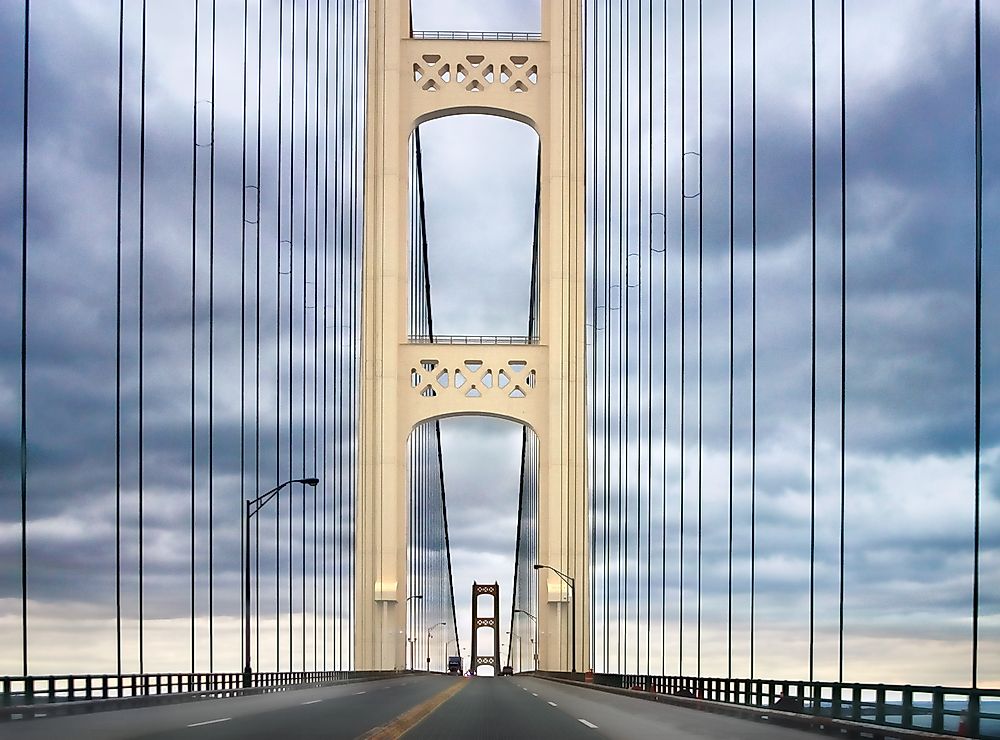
(911, 270)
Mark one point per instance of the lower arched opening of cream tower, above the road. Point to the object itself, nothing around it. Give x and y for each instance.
(488, 470)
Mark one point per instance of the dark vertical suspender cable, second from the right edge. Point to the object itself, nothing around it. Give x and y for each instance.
(843, 328)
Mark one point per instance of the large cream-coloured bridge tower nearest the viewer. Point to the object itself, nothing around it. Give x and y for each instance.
(539, 383)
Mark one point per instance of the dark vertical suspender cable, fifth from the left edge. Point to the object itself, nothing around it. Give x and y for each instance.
(211, 367)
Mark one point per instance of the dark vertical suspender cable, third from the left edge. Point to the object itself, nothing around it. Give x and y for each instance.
(142, 286)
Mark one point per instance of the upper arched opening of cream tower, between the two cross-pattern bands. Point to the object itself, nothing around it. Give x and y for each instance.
(474, 232)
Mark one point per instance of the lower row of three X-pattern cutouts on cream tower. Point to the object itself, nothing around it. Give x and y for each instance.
(474, 379)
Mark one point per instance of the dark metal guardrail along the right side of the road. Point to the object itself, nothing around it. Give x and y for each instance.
(961, 712)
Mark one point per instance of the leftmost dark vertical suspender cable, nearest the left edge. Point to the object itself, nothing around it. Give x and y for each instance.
(24, 345)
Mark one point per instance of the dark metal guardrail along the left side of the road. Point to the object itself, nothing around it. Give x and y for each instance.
(57, 689)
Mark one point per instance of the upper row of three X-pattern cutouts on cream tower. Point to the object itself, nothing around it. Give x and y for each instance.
(476, 72)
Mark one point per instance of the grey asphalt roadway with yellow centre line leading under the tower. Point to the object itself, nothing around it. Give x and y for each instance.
(421, 707)
